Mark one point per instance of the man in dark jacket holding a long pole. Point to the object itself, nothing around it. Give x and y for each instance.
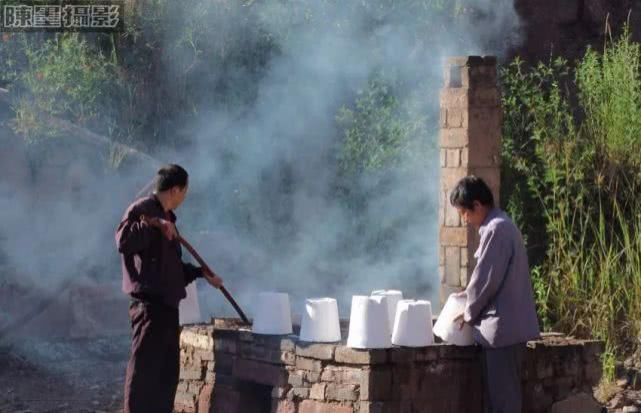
(154, 276)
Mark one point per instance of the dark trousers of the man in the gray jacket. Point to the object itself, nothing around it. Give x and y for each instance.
(502, 378)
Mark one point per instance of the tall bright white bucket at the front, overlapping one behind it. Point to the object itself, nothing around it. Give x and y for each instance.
(368, 323)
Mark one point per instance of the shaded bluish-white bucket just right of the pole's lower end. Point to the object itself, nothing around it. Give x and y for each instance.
(272, 314)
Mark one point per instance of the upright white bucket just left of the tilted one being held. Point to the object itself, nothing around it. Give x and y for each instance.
(413, 324)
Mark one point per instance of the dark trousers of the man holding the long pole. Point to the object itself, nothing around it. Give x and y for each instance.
(154, 360)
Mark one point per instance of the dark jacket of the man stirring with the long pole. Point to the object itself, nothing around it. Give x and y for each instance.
(152, 267)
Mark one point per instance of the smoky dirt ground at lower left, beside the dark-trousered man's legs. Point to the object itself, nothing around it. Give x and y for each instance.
(63, 375)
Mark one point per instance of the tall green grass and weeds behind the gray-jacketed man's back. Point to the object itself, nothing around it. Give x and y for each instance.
(571, 178)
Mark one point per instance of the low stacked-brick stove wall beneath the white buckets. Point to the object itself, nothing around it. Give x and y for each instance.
(232, 370)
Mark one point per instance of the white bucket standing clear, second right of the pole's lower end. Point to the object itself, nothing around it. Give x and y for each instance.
(320, 321)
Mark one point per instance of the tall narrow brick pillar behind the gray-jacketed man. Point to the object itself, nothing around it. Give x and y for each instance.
(470, 141)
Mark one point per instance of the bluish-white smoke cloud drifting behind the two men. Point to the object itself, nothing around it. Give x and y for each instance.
(270, 163)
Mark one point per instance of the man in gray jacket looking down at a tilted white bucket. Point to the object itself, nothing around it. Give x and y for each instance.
(500, 302)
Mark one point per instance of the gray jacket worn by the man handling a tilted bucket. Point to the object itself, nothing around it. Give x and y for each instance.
(500, 301)
